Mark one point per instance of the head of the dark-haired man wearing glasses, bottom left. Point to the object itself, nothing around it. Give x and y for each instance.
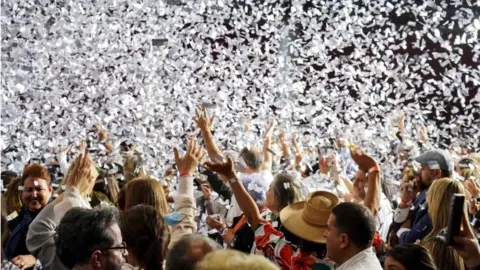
(91, 239)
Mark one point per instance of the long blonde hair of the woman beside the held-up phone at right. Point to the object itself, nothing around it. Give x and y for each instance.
(439, 198)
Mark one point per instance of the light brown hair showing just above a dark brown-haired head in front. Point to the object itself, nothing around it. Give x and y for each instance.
(146, 190)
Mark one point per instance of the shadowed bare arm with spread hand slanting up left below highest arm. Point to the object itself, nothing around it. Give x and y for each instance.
(246, 203)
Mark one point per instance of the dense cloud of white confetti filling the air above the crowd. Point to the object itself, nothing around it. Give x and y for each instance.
(139, 68)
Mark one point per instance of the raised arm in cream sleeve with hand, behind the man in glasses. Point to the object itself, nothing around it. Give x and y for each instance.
(79, 183)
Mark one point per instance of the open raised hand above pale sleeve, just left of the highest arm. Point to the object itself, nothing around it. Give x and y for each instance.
(187, 164)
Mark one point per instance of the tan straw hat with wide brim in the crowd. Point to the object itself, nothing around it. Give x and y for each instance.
(308, 219)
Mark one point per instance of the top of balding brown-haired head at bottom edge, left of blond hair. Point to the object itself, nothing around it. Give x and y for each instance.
(188, 251)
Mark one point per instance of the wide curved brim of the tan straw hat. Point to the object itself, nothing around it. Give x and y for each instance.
(292, 220)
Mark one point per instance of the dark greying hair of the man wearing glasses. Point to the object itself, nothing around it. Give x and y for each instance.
(81, 232)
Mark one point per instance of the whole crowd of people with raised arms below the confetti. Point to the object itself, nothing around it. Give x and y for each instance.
(252, 209)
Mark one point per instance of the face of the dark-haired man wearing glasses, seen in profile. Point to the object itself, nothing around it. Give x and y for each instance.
(114, 258)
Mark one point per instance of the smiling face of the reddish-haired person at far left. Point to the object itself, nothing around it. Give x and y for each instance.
(36, 193)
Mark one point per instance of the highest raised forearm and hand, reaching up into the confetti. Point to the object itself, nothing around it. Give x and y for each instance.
(205, 124)
